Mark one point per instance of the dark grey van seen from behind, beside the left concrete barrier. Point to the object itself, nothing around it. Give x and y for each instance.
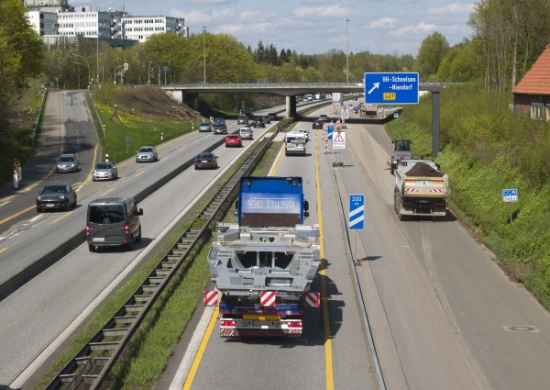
(113, 222)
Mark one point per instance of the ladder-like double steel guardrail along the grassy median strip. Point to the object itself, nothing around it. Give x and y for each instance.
(90, 367)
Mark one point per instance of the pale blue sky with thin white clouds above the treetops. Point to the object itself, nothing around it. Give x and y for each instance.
(395, 27)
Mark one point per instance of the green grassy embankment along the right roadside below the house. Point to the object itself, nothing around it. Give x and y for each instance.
(487, 149)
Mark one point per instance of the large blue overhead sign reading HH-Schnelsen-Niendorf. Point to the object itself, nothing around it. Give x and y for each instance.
(391, 88)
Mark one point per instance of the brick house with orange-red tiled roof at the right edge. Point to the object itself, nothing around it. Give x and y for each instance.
(532, 94)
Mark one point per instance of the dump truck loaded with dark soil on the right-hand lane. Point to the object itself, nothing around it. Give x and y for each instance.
(420, 190)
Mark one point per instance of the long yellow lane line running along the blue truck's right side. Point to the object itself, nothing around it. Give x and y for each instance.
(324, 300)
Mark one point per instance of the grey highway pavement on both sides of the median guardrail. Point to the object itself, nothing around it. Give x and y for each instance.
(443, 315)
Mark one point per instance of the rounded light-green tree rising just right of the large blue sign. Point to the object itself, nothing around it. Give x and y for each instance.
(432, 51)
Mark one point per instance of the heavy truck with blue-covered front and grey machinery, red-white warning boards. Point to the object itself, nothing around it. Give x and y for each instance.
(263, 266)
